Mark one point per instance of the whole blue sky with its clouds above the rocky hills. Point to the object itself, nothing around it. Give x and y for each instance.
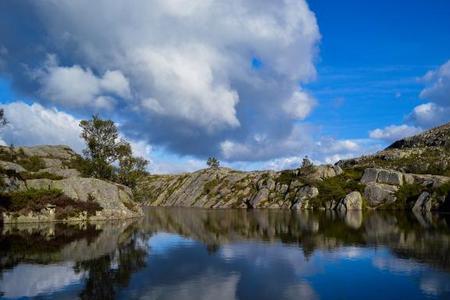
(259, 84)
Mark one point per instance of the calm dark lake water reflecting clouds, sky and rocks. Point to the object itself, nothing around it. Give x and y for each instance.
(231, 254)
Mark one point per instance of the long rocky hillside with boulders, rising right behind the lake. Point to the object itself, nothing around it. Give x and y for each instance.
(413, 173)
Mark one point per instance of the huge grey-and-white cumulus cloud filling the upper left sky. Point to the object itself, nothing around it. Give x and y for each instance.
(177, 73)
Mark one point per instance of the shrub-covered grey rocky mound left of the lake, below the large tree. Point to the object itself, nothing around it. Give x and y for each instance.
(43, 183)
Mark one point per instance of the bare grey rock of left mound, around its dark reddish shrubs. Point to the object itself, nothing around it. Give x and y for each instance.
(48, 168)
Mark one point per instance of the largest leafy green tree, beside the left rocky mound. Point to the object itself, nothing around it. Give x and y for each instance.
(104, 149)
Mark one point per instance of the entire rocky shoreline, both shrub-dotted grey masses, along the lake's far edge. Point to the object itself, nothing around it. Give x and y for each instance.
(43, 183)
